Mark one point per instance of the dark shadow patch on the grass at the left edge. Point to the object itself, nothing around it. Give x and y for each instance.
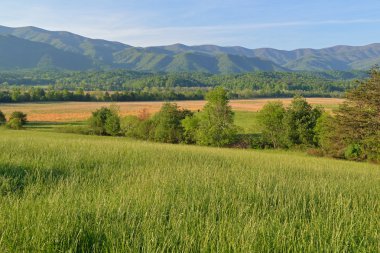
(14, 179)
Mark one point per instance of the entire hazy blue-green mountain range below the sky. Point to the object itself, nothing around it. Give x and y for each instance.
(36, 48)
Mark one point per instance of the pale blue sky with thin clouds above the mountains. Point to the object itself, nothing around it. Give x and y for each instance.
(286, 24)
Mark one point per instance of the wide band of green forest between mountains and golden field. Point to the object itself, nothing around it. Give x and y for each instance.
(123, 85)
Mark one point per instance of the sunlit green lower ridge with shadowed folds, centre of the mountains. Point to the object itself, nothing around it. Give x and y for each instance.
(161, 61)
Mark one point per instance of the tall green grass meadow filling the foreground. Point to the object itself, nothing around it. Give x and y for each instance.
(62, 192)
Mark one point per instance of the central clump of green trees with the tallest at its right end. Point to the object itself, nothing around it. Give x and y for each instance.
(214, 126)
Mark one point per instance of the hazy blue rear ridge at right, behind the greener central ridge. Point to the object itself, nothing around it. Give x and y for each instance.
(333, 58)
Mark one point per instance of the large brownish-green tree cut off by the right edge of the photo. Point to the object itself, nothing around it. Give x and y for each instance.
(358, 120)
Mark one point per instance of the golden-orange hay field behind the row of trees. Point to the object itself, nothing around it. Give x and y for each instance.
(78, 111)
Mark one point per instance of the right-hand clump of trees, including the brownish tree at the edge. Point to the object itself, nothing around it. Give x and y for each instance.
(351, 132)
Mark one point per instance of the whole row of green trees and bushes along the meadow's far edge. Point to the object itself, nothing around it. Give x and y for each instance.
(351, 132)
